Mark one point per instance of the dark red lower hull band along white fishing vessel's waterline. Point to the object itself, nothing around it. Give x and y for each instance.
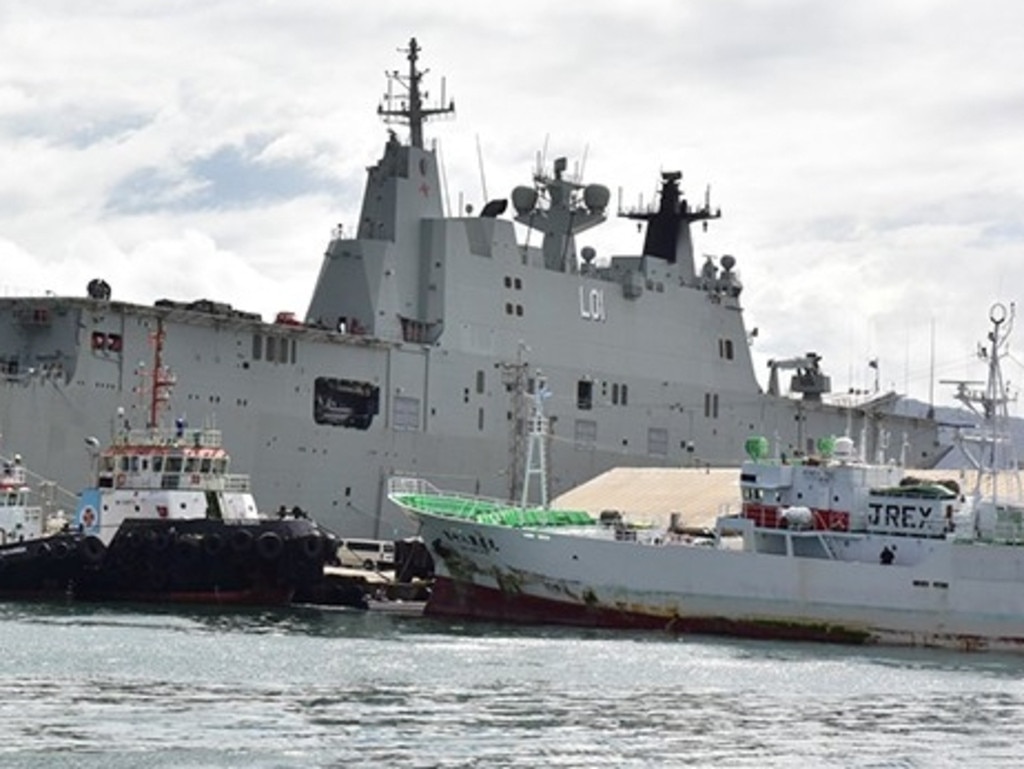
(452, 600)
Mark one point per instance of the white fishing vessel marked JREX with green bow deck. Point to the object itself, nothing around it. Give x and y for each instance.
(828, 548)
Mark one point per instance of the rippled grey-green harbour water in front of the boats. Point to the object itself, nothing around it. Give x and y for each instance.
(106, 687)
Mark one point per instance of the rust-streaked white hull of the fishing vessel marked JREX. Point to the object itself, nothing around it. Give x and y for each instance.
(957, 596)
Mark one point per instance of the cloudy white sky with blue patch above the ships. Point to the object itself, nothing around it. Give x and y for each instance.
(869, 157)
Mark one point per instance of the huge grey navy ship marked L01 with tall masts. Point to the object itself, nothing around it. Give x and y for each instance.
(422, 343)
